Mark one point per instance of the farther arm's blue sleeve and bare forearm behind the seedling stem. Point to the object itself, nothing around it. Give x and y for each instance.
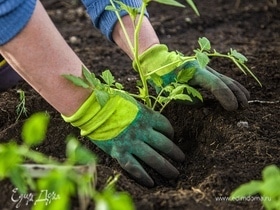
(107, 22)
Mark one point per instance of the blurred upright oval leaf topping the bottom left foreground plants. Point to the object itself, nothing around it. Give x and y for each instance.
(35, 128)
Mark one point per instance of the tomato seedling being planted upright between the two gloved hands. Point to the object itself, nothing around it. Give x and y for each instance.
(177, 90)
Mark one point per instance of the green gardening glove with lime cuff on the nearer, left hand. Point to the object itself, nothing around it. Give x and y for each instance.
(128, 131)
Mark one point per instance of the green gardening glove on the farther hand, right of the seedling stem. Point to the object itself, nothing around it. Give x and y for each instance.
(227, 91)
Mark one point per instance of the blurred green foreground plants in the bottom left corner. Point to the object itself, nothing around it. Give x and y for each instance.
(54, 182)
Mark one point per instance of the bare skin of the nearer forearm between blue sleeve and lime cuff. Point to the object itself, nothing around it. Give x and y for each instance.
(40, 55)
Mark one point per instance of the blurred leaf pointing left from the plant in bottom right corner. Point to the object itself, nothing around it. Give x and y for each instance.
(250, 188)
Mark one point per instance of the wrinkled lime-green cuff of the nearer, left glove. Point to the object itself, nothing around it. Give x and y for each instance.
(103, 123)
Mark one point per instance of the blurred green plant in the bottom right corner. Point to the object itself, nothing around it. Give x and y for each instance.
(268, 188)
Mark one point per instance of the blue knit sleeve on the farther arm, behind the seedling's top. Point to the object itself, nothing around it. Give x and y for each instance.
(105, 20)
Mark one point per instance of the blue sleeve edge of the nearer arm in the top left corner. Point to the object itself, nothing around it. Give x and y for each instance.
(14, 15)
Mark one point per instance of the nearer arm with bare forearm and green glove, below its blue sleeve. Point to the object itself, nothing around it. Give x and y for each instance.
(41, 56)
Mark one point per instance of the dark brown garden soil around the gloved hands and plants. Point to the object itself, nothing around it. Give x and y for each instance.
(220, 155)
